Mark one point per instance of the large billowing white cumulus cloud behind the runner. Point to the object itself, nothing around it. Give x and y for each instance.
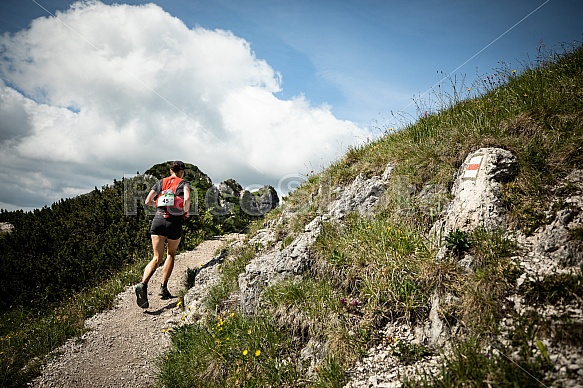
(100, 91)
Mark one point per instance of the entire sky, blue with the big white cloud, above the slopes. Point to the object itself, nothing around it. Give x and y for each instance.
(275, 88)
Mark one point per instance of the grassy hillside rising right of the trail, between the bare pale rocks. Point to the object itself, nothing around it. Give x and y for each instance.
(379, 270)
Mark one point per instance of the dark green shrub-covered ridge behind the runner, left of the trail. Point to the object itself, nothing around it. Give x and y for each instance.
(55, 251)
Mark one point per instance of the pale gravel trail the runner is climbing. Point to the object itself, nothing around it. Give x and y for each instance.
(122, 347)
